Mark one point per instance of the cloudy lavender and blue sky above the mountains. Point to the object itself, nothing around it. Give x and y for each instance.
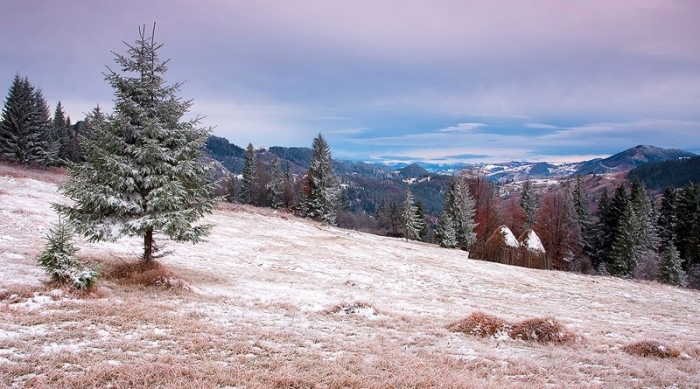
(438, 81)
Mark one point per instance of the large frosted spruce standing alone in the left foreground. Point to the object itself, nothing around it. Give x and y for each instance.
(140, 175)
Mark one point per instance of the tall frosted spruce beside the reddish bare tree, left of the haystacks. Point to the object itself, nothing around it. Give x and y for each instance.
(460, 205)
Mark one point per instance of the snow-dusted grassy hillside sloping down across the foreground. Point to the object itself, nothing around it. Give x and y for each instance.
(276, 301)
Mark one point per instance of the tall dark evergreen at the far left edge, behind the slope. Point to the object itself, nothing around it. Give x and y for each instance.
(25, 126)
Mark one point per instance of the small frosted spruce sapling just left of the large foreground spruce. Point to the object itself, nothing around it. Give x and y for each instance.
(60, 262)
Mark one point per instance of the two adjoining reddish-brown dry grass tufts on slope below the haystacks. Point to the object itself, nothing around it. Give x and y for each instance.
(542, 330)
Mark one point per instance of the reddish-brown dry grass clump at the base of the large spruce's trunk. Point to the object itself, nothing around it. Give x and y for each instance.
(143, 273)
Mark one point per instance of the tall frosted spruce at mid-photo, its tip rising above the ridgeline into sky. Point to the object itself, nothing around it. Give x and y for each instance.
(322, 186)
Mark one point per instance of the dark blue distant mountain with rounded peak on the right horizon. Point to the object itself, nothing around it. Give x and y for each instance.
(632, 158)
